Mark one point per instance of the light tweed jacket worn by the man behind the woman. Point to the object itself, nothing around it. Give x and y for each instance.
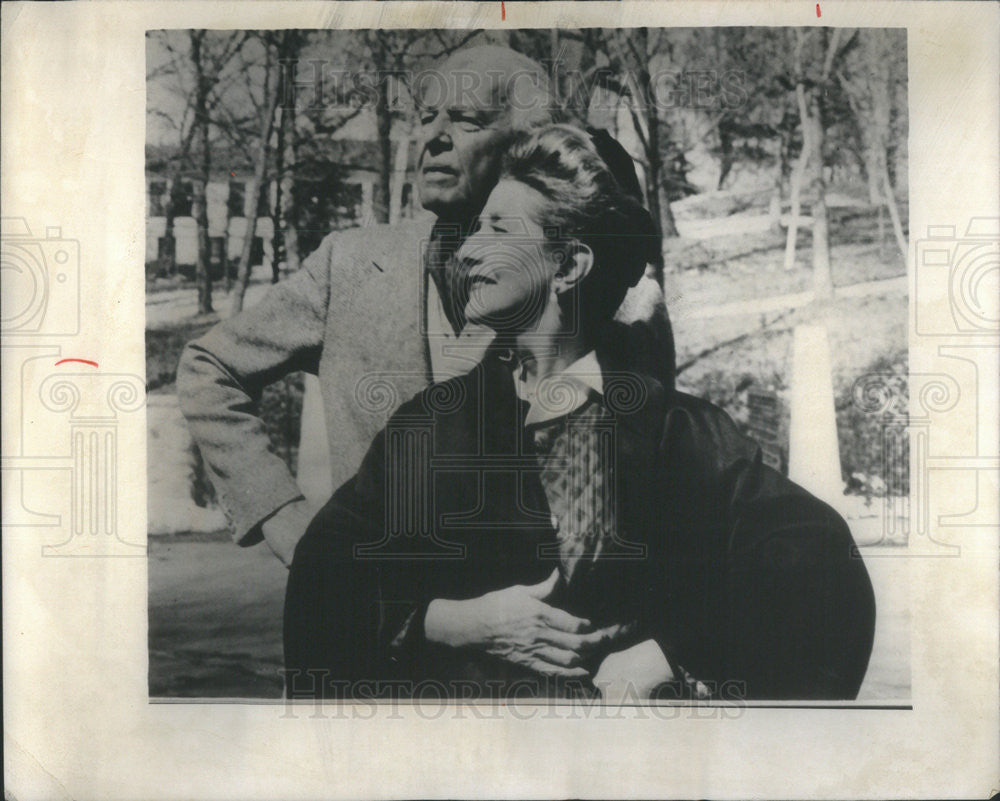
(354, 316)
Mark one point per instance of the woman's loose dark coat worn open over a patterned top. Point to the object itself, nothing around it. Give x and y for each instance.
(744, 579)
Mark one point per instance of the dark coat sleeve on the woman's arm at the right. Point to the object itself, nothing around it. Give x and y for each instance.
(768, 595)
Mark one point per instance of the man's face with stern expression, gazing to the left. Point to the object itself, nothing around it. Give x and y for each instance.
(464, 131)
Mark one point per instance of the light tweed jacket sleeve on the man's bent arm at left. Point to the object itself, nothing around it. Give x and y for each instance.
(220, 380)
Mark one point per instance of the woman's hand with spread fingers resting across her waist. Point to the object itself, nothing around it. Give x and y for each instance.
(517, 625)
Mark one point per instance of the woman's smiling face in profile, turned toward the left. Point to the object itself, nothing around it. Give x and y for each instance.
(509, 263)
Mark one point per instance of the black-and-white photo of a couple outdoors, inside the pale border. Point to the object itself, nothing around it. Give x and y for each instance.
(547, 364)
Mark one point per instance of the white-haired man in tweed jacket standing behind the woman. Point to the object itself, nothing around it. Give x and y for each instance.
(375, 312)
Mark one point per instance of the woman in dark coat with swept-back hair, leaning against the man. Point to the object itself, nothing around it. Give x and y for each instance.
(557, 521)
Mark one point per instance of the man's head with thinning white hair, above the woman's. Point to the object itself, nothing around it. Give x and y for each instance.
(470, 106)
